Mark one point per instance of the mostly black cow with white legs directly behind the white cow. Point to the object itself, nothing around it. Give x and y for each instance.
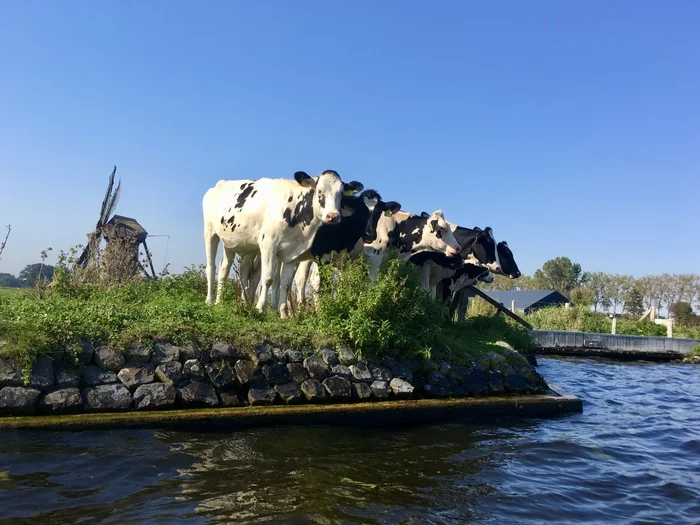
(348, 237)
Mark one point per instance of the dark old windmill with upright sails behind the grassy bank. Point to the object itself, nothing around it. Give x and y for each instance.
(118, 227)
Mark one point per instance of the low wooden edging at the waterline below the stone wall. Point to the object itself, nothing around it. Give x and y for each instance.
(385, 413)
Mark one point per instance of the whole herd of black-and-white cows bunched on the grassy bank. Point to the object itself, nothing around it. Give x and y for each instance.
(278, 227)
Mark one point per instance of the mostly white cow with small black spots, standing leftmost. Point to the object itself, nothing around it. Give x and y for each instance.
(278, 218)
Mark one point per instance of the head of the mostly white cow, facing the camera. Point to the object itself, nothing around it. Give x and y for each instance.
(328, 192)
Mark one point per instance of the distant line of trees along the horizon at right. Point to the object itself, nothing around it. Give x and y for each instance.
(676, 294)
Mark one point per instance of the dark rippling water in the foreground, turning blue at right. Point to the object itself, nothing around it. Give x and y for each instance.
(633, 456)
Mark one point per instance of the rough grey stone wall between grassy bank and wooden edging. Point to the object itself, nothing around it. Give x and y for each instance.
(166, 376)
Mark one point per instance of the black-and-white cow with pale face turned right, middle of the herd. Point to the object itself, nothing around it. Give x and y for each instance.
(411, 234)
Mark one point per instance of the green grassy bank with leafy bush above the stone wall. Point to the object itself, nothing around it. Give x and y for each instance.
(391, 316)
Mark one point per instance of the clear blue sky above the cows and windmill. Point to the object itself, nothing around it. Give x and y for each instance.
(571, 128)
